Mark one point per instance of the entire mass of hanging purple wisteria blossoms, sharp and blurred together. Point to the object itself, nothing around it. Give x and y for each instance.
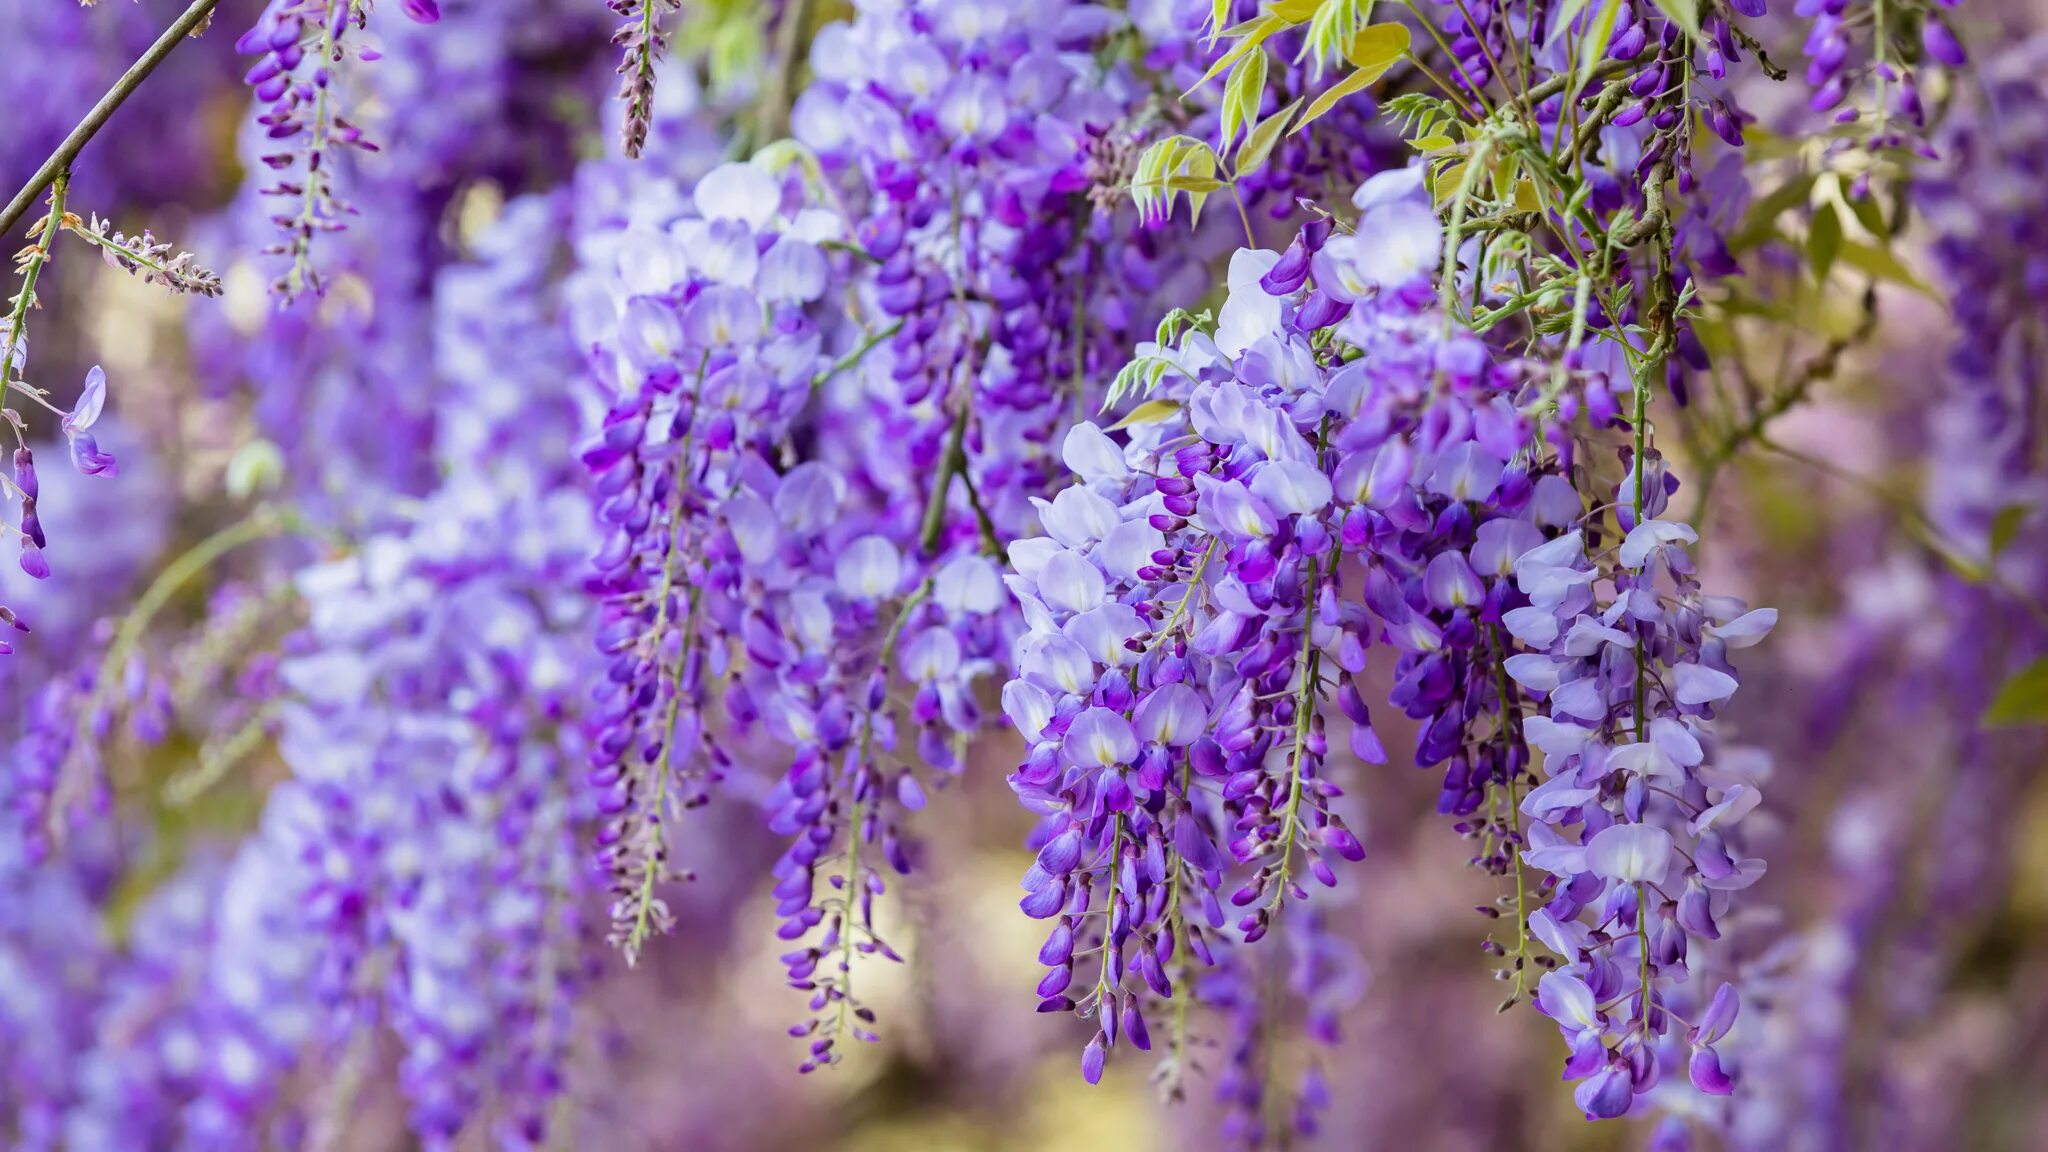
(1185, 411)
